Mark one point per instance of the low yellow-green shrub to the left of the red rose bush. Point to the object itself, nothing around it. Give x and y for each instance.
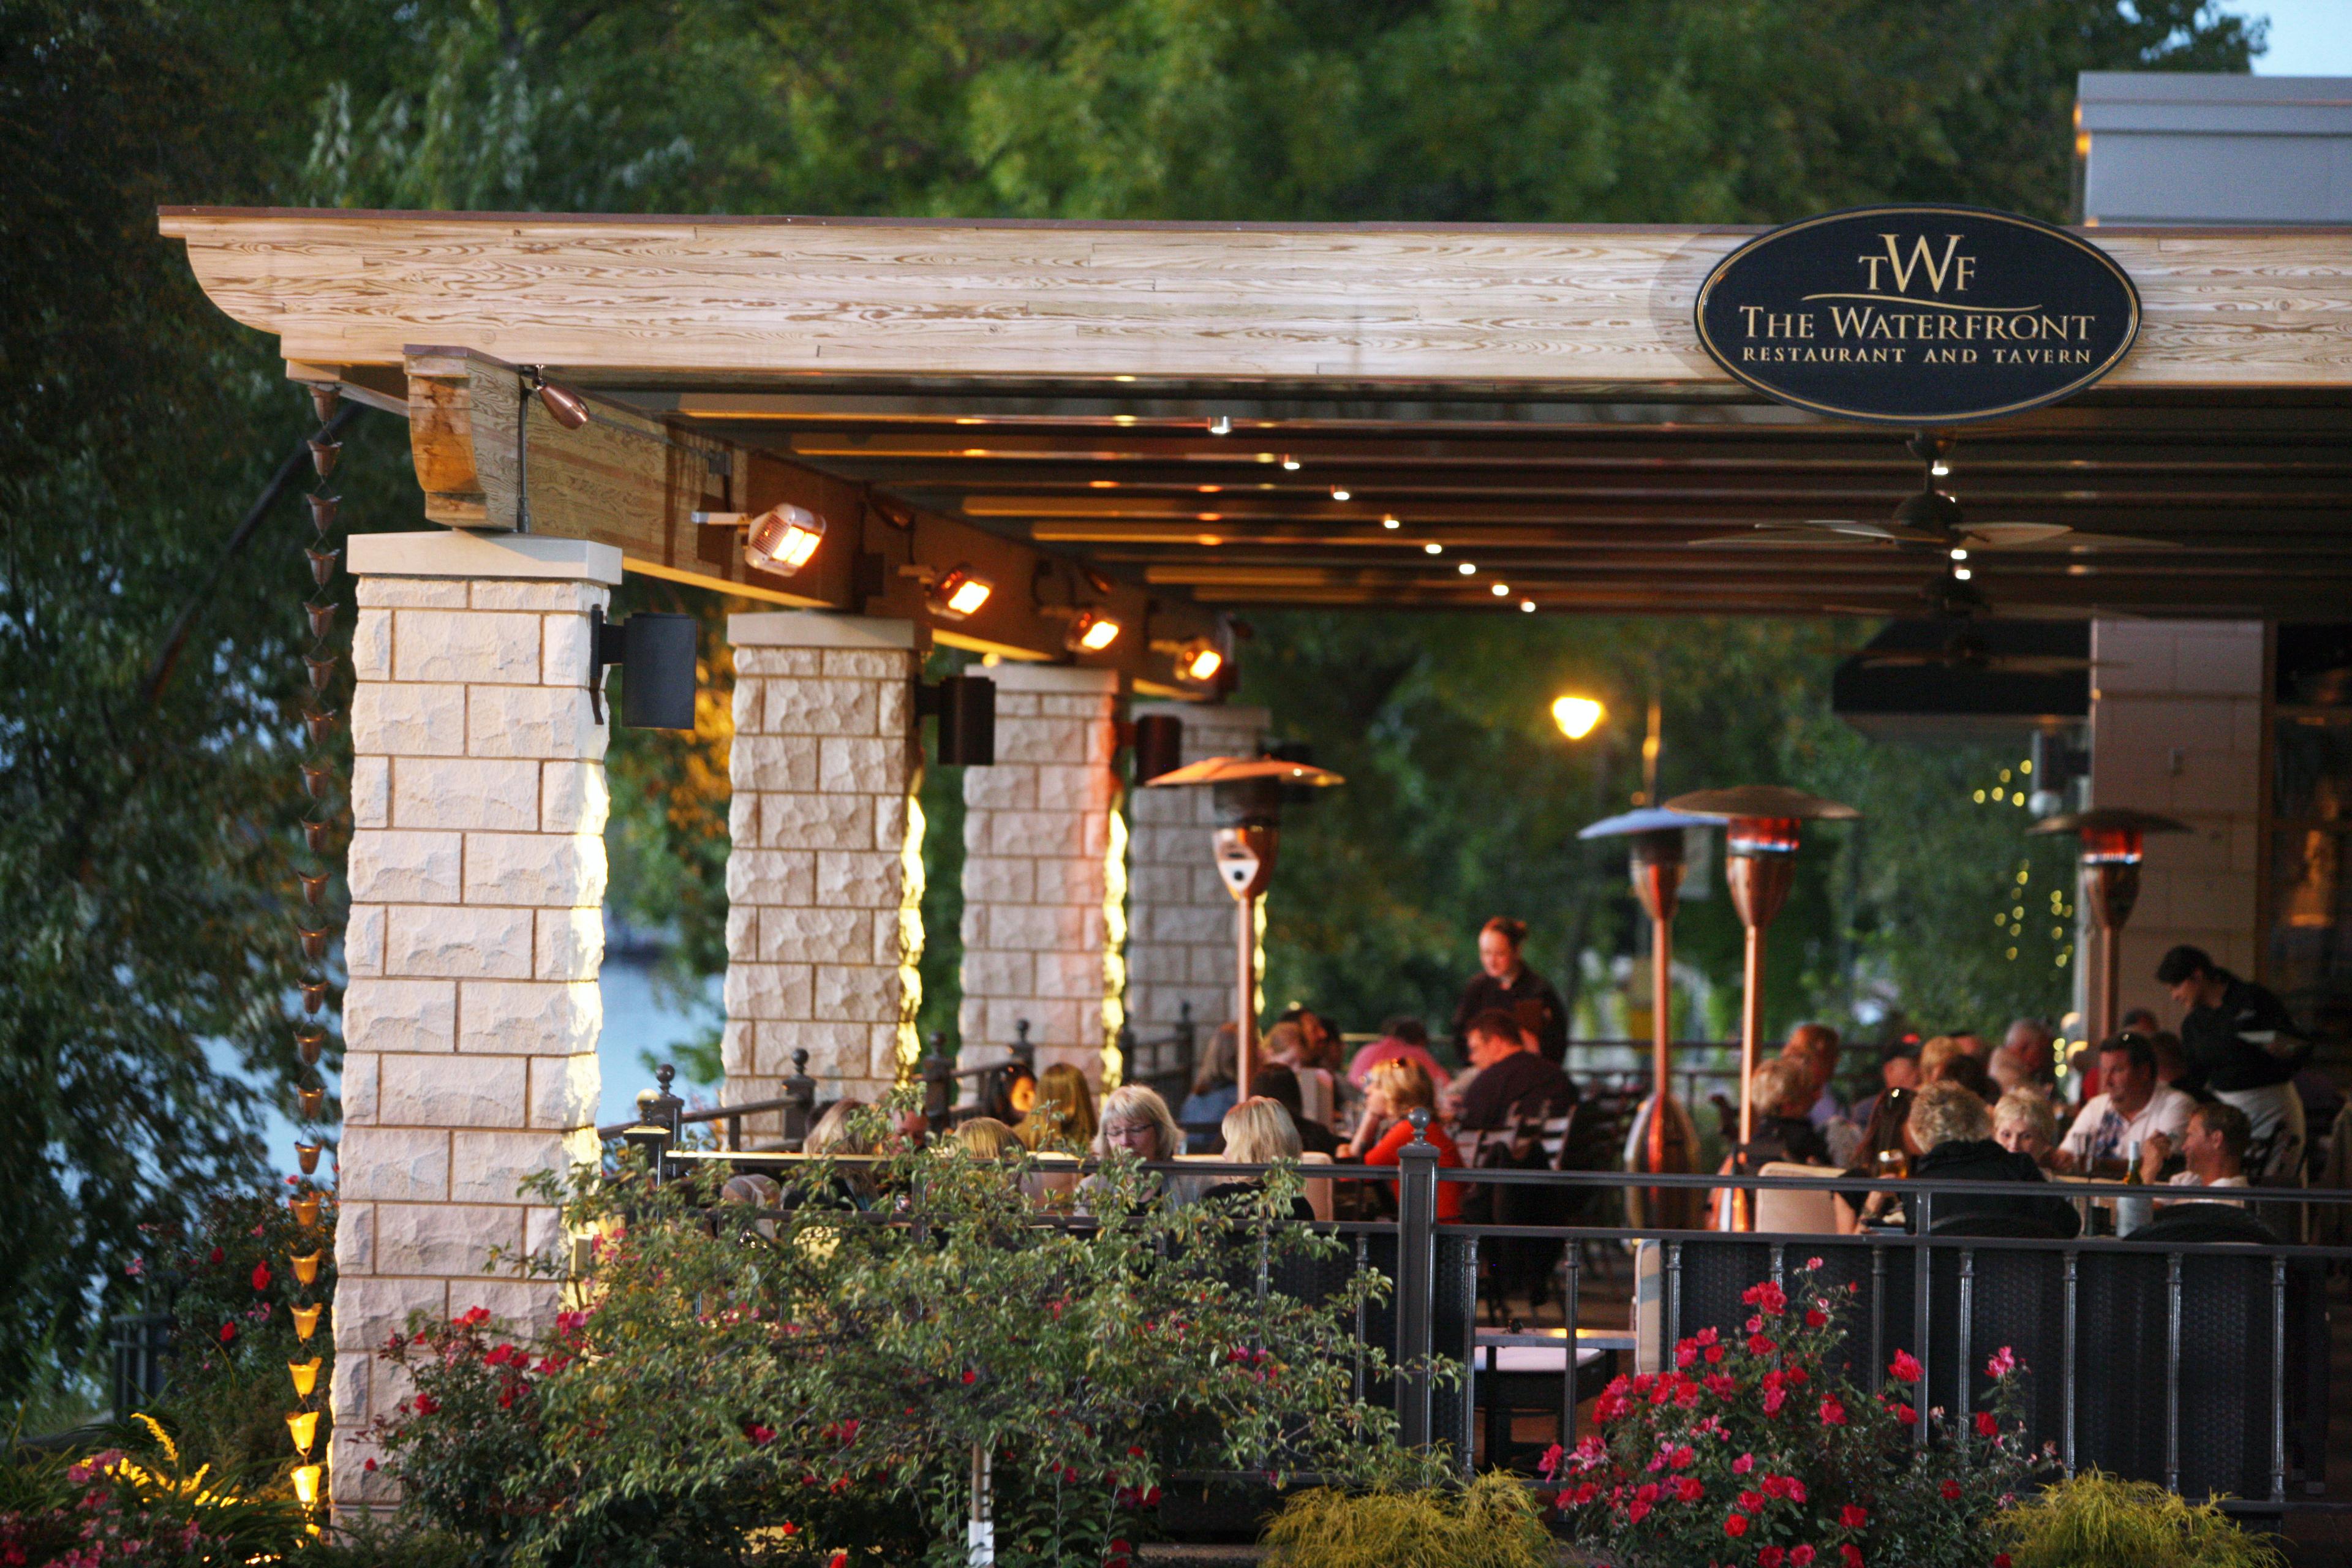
(1490, 1525)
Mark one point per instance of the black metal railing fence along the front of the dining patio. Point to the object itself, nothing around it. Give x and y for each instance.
(2191, 1362)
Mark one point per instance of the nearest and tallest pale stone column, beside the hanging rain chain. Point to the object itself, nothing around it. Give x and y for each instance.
(474, 946)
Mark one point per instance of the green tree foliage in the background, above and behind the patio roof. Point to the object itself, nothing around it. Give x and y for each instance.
(145, 845)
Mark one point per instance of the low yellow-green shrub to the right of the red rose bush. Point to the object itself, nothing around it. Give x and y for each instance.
(2099, 1522)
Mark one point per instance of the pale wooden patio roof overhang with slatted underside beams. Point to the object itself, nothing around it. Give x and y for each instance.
(1041, 398)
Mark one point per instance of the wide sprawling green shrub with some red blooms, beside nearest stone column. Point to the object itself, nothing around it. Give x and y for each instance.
(815, 1383)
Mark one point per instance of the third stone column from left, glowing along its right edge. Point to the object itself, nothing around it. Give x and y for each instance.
(1043, 869)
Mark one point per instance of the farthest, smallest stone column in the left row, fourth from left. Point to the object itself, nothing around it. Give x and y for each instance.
(1182, 918)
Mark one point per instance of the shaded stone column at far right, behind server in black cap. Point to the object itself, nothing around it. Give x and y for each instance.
(2177, 728)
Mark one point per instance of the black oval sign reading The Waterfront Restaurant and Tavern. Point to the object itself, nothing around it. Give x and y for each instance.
(1918, 316)
